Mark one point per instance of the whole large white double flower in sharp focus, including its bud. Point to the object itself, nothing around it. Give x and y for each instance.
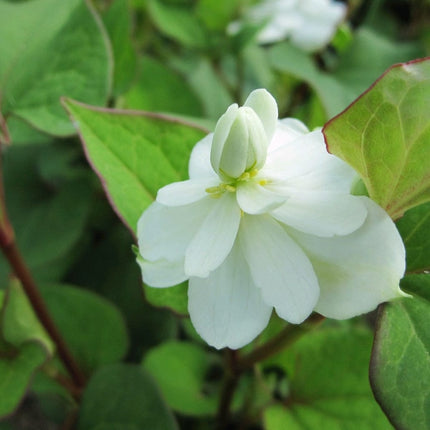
(266, 221)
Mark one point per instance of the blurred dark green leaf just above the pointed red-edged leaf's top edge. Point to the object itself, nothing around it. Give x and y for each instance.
(160, 89)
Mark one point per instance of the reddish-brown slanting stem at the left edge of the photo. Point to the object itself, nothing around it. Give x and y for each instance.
(10, 250)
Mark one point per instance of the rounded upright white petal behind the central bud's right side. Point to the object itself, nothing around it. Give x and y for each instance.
(264, 105)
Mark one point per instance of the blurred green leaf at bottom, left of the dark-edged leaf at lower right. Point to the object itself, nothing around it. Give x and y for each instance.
(328, 384)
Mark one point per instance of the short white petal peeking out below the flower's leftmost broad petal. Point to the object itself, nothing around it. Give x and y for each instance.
(162, 273)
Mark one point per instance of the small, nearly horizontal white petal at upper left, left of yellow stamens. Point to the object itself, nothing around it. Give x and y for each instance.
(185, 192)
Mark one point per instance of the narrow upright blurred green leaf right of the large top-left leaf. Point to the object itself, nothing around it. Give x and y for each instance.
(117, 20)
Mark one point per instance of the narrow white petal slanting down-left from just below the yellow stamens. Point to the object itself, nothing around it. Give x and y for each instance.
(215, 237)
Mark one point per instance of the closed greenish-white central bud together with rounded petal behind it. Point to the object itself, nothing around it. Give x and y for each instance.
(241, 138)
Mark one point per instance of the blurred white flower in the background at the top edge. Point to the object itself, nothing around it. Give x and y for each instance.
(310, 24)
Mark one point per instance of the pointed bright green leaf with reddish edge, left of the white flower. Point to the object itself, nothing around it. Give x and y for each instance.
(134, 154)
